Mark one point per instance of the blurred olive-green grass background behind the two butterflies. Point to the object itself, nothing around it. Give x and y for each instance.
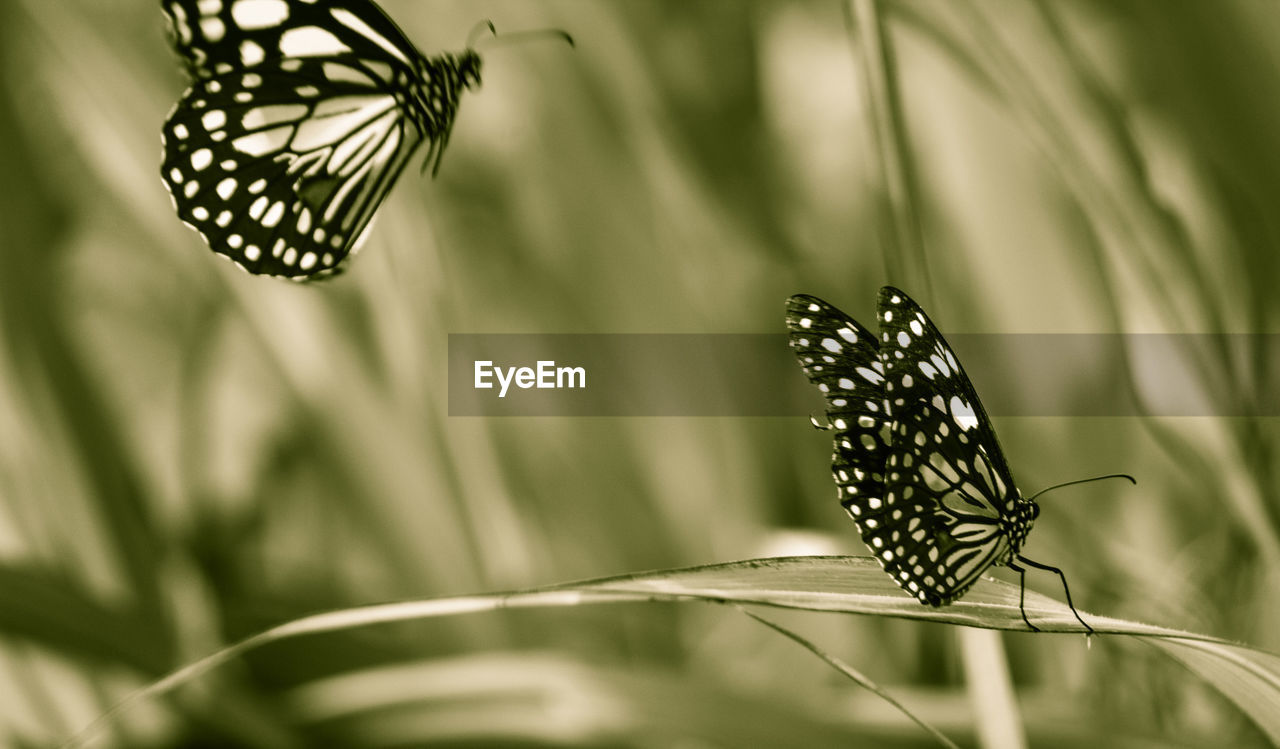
(190, 455)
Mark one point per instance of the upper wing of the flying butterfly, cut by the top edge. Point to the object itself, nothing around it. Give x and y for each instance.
(221, 36)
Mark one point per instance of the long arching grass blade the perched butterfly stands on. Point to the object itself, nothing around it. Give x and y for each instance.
(1249, 678)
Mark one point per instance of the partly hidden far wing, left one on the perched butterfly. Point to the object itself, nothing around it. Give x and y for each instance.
(842, 359)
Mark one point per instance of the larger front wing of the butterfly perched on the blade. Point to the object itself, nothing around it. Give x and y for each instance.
(956, 508)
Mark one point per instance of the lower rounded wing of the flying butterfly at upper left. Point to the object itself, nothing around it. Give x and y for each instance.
(282, 168)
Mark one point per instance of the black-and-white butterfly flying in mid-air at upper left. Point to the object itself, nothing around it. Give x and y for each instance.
(300, 118)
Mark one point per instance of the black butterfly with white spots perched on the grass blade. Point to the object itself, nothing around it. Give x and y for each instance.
(917, 463)
